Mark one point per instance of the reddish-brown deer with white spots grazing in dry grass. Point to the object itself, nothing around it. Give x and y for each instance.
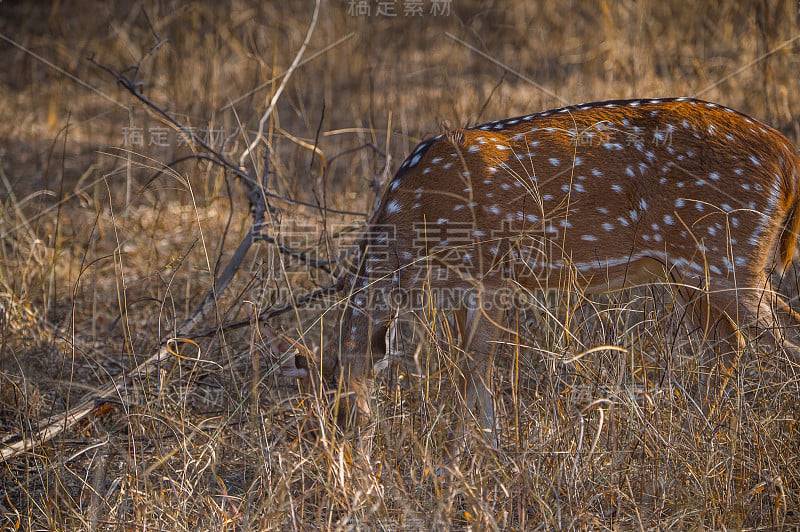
(605, 195)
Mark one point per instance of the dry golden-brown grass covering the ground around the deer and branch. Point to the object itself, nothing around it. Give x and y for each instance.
(98, 263)
